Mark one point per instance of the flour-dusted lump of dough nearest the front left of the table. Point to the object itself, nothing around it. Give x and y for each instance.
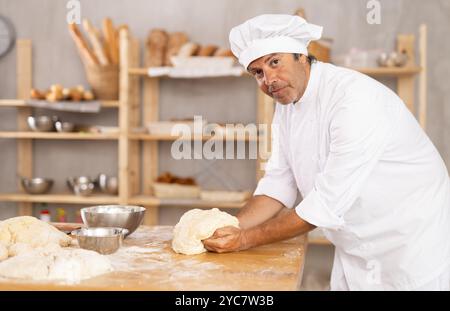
(55, 263)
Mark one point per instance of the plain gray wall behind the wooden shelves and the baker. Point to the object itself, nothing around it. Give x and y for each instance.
(56, 60)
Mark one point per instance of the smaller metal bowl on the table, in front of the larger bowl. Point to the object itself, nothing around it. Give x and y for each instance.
(102, 240)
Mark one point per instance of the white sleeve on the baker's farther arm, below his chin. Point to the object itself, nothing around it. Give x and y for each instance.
(278, 181)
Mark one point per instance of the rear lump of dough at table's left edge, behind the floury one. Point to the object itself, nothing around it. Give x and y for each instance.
(31, 231)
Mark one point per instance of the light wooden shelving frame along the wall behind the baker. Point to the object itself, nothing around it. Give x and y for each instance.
(136, 175)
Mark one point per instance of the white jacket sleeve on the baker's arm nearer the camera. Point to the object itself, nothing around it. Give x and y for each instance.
(359, 132)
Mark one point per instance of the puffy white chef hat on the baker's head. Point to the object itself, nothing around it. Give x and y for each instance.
(272, 33)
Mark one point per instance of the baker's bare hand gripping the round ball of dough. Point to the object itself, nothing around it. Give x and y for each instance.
(226, 239)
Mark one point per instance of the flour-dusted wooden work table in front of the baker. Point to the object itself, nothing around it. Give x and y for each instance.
(146, 261)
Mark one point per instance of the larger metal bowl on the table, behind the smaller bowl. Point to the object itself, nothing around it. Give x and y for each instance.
(119, 216)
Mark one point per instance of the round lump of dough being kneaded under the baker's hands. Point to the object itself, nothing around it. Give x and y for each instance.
(196, 225)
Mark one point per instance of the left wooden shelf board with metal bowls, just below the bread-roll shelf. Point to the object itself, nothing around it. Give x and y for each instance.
(60, 136)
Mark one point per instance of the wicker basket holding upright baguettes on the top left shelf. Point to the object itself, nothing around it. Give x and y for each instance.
(104, 81)
